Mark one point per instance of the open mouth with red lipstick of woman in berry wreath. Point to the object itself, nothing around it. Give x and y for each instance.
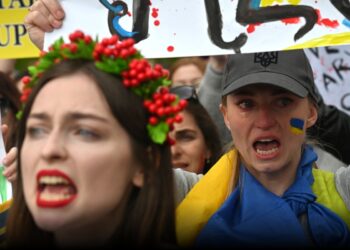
(54, 189)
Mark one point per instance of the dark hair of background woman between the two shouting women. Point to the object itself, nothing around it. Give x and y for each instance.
(208, 129)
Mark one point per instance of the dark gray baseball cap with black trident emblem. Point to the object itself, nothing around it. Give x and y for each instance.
(289, 70)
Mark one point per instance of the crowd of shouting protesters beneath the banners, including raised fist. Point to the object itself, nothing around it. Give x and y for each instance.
(231, 153)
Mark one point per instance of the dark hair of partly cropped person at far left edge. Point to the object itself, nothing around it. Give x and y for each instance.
(10, 100)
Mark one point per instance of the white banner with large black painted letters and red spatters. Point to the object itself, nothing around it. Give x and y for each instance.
(169, 28)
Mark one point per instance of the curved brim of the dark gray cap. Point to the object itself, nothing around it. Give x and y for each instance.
(274, 79)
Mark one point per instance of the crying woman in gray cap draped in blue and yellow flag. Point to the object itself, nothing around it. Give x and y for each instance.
(266, 191)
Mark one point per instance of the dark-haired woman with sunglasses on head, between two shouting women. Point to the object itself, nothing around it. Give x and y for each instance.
(197, 140)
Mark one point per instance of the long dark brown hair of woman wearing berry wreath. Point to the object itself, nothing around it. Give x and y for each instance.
(147, 213)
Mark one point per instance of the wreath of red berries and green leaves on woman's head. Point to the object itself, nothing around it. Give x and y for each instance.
(118, 58)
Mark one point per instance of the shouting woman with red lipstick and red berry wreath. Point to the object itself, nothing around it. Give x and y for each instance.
(93, 173)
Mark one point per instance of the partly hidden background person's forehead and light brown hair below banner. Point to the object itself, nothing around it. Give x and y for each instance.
(187, 71)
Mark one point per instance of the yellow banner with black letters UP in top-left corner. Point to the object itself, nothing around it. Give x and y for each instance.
(14, 39)
